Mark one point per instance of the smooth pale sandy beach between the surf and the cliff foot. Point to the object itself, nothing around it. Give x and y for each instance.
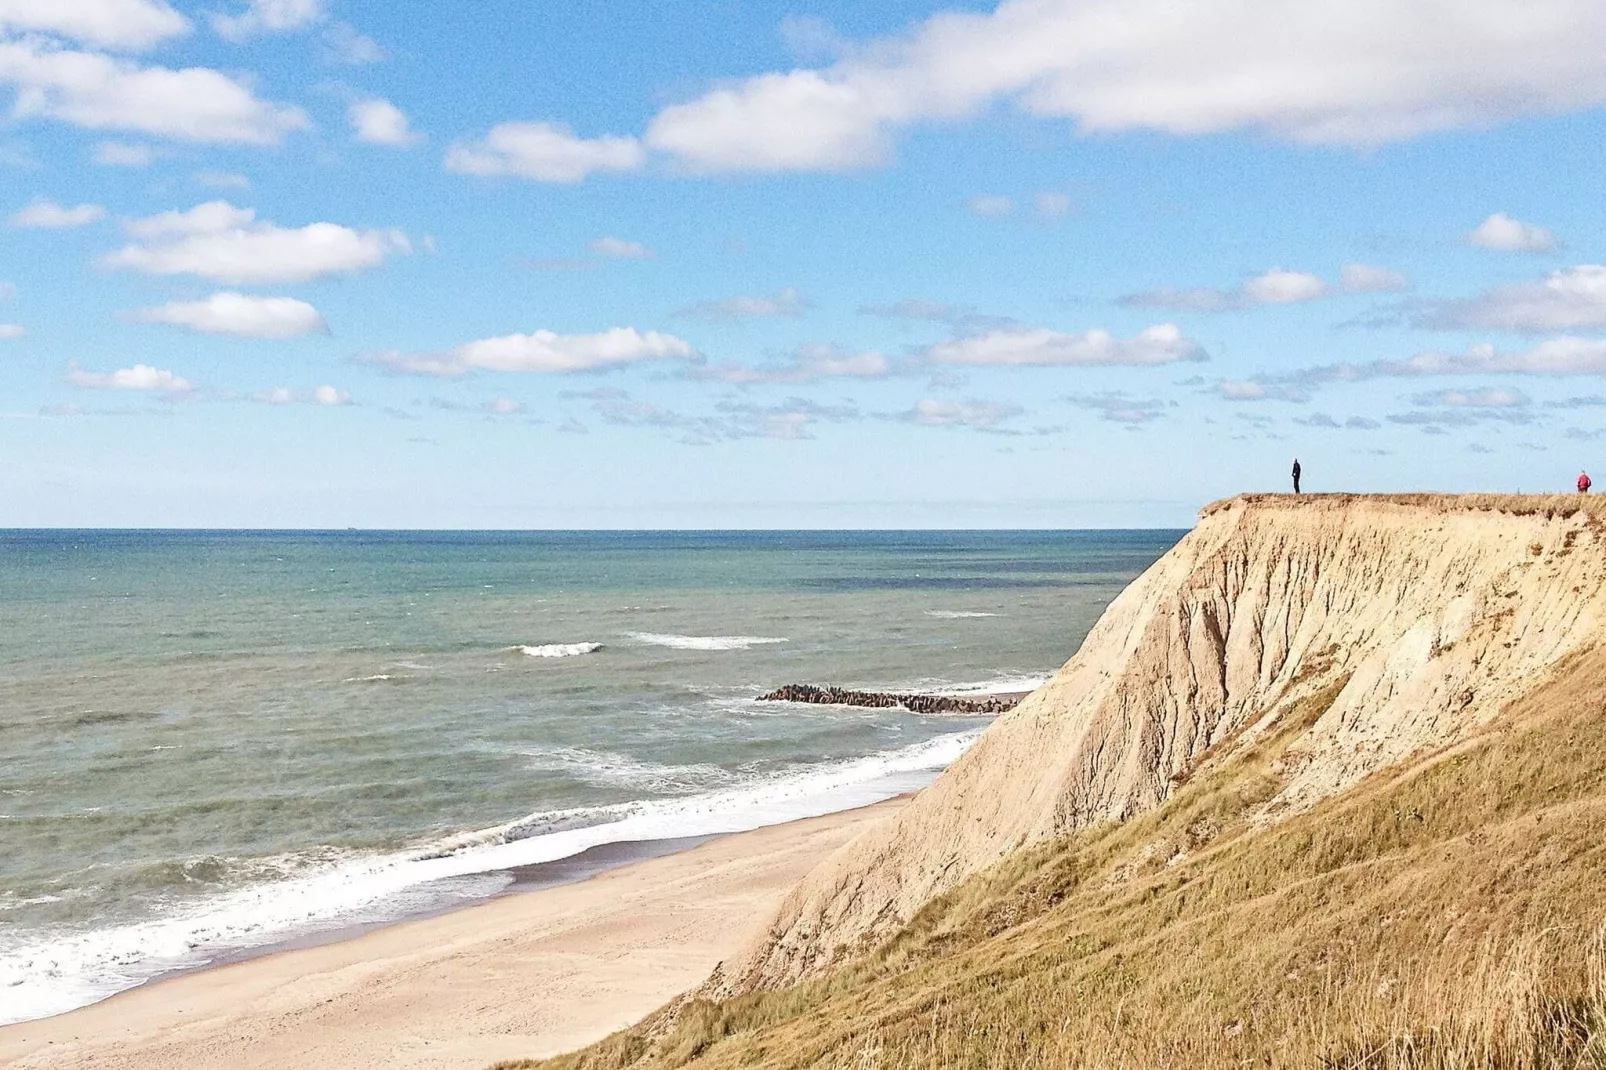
(529, 974)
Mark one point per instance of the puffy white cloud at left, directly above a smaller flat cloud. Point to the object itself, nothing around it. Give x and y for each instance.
(221, 242)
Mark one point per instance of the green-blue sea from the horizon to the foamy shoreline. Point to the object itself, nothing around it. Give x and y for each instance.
(216, 743)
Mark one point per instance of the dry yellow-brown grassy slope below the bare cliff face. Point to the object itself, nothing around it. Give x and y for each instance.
(1440, 915)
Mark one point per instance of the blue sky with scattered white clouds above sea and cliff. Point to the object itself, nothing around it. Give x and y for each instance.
(791, 264)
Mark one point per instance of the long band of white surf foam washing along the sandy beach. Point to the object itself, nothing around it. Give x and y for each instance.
(44, 974)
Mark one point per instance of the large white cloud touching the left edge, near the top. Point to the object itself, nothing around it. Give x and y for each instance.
(102, 92)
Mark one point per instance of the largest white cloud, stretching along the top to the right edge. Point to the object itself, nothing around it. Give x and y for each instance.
(1358, 73)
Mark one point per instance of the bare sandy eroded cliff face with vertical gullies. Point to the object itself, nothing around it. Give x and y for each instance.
(1437, 611)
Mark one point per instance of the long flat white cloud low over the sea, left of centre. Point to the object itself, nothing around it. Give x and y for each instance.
(544, 353)
